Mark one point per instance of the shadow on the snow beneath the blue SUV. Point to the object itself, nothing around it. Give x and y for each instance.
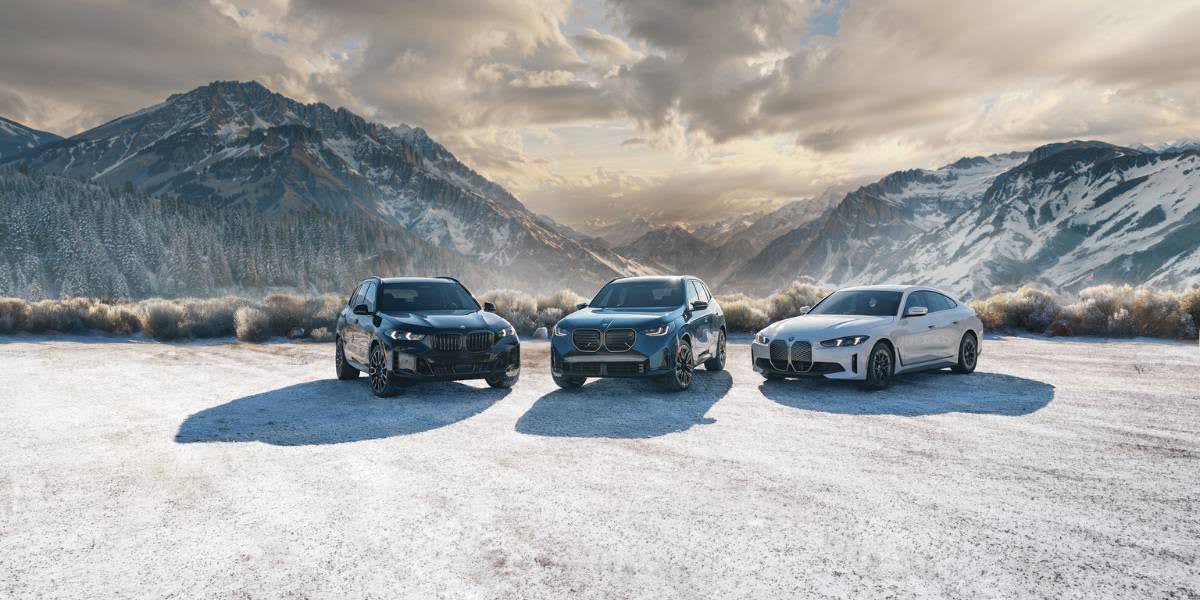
(625, 409)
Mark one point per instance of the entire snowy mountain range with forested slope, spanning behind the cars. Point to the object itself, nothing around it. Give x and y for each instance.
(1063, 215)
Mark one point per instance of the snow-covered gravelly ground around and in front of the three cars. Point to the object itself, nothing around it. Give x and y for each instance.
(1061, 470)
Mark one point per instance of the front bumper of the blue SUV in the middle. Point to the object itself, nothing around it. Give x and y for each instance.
(650, 357)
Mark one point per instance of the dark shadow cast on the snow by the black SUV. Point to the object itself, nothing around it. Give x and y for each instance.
(332, 412)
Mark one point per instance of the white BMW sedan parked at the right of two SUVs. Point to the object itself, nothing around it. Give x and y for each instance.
(871, 334)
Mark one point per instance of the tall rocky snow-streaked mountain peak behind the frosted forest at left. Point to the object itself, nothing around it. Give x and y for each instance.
(239, 145)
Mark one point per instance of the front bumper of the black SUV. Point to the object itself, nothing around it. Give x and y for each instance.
(415, 362)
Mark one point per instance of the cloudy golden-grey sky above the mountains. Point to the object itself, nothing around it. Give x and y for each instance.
(677, 107)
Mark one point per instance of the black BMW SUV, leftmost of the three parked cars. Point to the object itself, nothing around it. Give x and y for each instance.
(412, 329)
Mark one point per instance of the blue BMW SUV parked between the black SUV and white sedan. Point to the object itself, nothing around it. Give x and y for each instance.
(641, 327)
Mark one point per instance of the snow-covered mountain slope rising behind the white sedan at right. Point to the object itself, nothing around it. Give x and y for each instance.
(1065, 215)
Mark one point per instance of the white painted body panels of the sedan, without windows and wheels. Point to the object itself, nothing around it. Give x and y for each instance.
(921, 343)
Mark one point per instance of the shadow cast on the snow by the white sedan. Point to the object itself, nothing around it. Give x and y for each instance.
(917, 394)
